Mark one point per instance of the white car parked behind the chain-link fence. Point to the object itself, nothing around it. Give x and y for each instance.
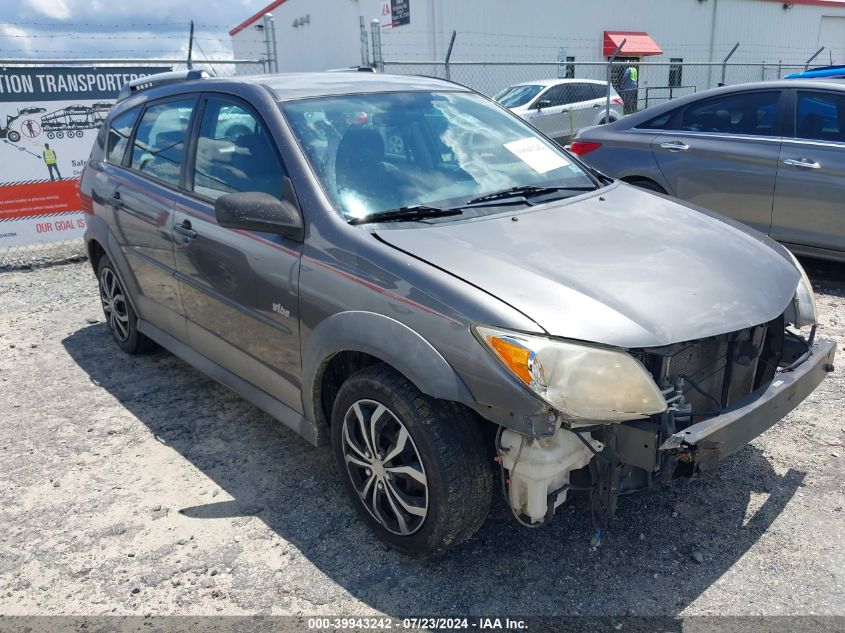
(561, 107)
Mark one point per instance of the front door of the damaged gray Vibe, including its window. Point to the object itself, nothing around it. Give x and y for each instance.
(240, 288)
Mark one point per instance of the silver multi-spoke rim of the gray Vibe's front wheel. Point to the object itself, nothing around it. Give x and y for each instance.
(385, 467)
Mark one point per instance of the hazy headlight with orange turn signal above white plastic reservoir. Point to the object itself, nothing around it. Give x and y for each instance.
(580, 381)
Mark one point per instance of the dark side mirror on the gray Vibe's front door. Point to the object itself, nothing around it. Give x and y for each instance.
(255, 211)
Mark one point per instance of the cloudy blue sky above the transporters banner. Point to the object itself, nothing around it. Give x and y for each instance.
(119, 28)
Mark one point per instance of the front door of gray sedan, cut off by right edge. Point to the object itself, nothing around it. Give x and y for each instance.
(809, 208)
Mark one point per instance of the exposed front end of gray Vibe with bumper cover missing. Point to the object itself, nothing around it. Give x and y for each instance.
(715, 379)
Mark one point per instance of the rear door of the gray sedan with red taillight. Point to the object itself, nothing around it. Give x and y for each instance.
(722, 153)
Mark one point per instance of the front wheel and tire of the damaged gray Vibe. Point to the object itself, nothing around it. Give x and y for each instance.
(414, 467)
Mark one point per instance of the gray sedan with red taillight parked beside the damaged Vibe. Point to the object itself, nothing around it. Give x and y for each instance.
(770, 154)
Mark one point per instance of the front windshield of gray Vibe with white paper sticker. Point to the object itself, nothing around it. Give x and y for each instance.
(380, 152)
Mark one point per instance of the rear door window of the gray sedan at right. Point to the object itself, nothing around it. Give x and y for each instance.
(753, 113)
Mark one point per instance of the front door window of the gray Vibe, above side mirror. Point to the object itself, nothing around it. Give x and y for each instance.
(234, 153)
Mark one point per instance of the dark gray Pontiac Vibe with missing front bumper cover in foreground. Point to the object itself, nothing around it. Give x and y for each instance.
(404, 269)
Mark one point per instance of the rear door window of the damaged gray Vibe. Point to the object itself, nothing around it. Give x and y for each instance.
(160, 140)
